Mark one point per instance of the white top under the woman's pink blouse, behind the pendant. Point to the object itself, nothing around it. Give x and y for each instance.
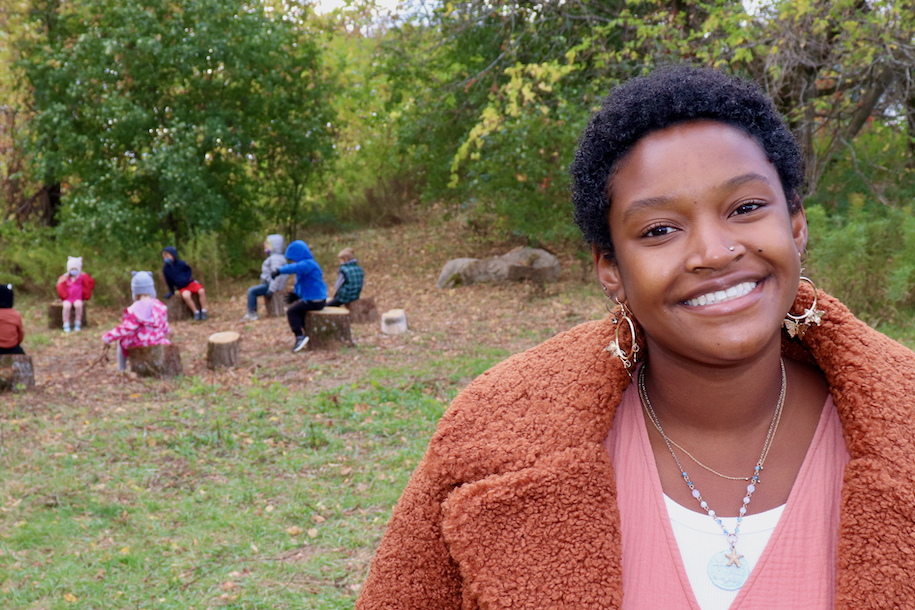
(698, 535)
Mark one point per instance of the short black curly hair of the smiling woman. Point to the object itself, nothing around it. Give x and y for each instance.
(668, 96)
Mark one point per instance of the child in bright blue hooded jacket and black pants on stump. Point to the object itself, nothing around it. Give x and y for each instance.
(309, 287)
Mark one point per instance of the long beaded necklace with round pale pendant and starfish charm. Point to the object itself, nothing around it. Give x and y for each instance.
(724, 569)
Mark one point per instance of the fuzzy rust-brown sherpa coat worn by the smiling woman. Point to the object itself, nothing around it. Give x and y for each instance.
(514, 504)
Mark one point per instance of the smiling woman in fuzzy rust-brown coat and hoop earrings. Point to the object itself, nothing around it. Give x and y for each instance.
(743, 468)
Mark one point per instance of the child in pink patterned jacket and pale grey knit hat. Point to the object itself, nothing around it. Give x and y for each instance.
(145, 322)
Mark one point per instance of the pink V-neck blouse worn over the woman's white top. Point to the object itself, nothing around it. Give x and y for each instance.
(798, 566)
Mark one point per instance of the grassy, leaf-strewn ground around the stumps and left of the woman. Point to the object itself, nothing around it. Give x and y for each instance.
(267, 486)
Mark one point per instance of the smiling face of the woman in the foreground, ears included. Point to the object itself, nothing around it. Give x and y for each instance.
(707, 252)
